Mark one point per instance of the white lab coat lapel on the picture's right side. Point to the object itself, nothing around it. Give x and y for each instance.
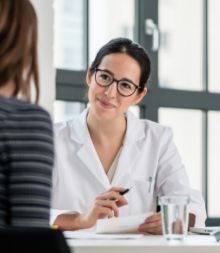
(130, 152)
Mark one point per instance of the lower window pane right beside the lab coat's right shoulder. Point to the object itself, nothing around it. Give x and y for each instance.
(187, 127)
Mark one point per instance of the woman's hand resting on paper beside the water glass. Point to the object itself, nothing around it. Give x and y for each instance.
(152, 225)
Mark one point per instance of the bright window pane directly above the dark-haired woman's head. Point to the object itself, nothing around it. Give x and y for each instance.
(107, 21)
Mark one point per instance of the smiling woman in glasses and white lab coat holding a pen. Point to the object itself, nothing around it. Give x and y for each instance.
(107, 149)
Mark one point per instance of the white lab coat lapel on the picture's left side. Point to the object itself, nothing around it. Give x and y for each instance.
(86, 152)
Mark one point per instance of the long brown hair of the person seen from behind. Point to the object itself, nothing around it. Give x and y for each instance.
(18, 47)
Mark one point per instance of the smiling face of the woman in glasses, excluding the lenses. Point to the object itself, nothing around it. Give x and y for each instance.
(106, 102)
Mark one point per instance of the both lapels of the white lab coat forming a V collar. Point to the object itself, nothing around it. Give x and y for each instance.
(135, 132)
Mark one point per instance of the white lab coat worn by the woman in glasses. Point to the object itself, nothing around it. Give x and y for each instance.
(149, 163)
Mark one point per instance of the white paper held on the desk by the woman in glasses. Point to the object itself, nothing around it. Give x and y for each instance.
(122, 225)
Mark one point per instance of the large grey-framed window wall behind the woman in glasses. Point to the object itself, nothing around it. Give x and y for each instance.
(182, 39)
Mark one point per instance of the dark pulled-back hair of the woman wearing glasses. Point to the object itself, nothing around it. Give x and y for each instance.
(126, 46)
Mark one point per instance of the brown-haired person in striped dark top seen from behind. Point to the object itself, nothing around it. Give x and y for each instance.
(26, 137)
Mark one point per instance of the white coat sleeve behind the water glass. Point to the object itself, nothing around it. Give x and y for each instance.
(172, 178)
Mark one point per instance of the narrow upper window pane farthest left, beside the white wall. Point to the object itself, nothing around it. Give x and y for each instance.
(69, 51)
